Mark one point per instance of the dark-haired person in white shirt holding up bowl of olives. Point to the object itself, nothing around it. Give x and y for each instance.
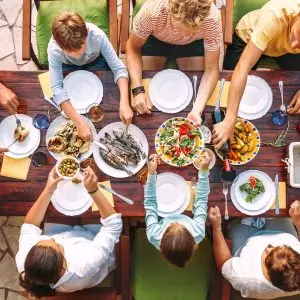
(67, 258)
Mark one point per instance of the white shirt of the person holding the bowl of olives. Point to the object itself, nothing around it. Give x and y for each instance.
(88, 258)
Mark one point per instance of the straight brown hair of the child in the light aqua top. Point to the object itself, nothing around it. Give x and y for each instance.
(177, 245)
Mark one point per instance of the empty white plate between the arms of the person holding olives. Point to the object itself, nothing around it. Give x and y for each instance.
(71, 199)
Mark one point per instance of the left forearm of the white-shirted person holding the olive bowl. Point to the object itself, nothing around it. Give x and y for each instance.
(37, 212)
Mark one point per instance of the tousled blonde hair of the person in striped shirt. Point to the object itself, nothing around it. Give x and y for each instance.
(191, 13)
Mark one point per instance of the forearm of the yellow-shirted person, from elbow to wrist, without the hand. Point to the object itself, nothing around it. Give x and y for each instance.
(237, 87)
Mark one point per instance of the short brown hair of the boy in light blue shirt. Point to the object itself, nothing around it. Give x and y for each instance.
(69, 31)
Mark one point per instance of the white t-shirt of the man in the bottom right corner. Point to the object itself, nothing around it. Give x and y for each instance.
(245, 272)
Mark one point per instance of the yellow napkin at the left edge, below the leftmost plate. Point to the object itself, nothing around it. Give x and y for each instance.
(15, 168)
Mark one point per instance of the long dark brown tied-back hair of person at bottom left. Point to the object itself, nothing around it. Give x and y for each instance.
(43, 266)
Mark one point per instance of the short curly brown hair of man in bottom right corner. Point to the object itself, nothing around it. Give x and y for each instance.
(283, 265)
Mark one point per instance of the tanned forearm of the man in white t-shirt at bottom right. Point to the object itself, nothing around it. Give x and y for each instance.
(221, 250)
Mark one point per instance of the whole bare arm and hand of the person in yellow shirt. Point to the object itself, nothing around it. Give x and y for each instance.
(249, 58)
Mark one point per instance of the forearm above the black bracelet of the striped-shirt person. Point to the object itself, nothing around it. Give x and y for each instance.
(134, 64)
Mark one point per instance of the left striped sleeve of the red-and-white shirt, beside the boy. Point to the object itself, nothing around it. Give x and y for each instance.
(143, 24)
